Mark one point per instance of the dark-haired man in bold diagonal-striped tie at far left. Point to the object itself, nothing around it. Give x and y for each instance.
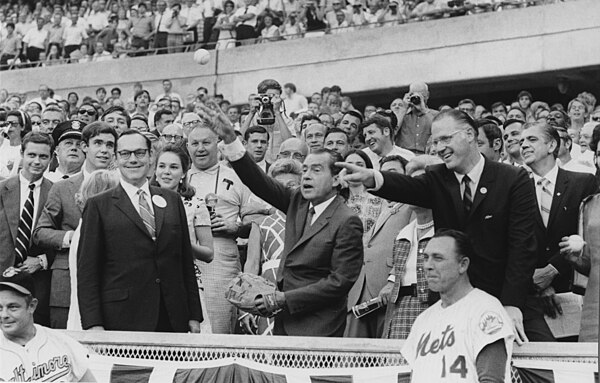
(22, 198)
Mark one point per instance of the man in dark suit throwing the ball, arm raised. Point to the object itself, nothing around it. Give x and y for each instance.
(323, 249)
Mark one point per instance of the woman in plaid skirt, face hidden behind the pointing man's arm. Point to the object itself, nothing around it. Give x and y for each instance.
(406, 292)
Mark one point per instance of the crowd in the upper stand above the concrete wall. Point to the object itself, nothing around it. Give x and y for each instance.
(44, 33)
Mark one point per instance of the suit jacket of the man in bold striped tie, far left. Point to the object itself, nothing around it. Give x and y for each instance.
(10, 214)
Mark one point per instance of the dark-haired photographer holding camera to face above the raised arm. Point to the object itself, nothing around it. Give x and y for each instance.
(266, 110)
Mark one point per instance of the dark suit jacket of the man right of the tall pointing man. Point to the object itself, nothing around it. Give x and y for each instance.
(570, 190)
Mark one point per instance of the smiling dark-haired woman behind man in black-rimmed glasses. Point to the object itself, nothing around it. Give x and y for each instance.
(172, 165)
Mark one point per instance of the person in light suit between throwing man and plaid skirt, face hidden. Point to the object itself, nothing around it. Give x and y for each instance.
(378, 248)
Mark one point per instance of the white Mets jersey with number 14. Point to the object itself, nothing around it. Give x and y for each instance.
(444, 342)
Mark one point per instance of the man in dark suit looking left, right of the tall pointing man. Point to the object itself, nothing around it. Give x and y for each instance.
(559, 194)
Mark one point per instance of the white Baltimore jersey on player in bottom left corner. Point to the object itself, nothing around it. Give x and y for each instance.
(50, 357)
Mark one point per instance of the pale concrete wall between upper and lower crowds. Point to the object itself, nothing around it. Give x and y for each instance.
(499, 44)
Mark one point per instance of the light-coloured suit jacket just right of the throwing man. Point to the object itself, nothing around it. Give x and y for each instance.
(378, 244)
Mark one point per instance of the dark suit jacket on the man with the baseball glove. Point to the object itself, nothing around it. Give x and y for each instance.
(318, 267)
